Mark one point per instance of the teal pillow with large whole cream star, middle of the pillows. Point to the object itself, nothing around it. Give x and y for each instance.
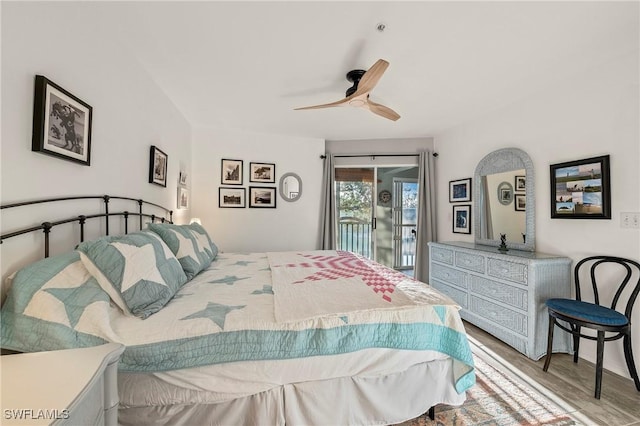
(137, 270)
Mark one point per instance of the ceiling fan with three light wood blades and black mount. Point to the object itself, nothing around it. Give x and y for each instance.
(358, 94)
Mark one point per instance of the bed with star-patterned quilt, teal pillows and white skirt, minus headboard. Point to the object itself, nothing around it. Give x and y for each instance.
(300, 337)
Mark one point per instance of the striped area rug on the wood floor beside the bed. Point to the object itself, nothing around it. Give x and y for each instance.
(503, 396)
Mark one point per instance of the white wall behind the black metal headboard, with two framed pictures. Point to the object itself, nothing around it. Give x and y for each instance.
(130, 113)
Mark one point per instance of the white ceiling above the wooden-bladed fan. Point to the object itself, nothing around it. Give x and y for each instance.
(249, 64)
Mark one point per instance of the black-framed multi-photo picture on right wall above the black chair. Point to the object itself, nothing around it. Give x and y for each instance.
(581, 189)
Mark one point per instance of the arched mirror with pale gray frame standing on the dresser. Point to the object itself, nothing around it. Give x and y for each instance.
(503, 190)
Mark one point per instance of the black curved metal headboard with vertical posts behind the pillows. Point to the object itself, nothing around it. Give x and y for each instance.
(46, 227)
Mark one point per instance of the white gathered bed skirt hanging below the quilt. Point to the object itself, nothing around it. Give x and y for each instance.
(356, 400)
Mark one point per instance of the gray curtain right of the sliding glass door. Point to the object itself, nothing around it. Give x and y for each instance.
(426, 229)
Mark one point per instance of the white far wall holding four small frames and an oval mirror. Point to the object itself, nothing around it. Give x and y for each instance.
(291, 225)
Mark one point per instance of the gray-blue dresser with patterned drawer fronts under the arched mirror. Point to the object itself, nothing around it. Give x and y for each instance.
(503, 294)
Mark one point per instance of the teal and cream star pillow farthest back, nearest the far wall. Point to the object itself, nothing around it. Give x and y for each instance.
(189, 243)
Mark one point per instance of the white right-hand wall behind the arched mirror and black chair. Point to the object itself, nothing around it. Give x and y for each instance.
(590, 114)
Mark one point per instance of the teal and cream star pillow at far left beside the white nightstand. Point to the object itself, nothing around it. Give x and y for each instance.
(46, 304)
